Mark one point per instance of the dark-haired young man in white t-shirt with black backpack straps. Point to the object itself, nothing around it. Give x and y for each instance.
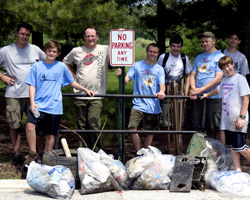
(175, 66)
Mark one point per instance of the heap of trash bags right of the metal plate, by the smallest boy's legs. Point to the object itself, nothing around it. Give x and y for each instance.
(220, 174)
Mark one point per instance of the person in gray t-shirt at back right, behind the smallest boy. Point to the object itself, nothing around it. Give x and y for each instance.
(240, 60)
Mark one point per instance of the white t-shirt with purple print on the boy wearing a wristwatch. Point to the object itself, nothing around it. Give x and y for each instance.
(232, 89)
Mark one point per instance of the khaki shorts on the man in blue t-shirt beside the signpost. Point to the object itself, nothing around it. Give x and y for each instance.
(149, 121)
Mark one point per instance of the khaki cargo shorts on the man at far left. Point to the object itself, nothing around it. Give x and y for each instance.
(14, 111)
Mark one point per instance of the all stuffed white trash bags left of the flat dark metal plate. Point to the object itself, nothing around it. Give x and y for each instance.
(100, 172)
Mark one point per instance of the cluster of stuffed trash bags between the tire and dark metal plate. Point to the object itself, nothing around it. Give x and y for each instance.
(100, 172)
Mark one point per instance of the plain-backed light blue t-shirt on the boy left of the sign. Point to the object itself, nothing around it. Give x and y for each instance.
(48, 80)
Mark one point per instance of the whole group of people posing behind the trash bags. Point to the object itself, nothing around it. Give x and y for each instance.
(34, 80)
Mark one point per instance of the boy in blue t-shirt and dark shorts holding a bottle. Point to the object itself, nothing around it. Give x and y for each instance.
(45, 80)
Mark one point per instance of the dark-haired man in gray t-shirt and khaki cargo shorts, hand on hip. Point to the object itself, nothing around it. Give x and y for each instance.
(17, 59)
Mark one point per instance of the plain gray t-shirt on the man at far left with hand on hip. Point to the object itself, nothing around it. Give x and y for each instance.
(17, 62)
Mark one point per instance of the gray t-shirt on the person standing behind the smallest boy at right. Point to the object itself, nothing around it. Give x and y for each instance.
(240, 62)
